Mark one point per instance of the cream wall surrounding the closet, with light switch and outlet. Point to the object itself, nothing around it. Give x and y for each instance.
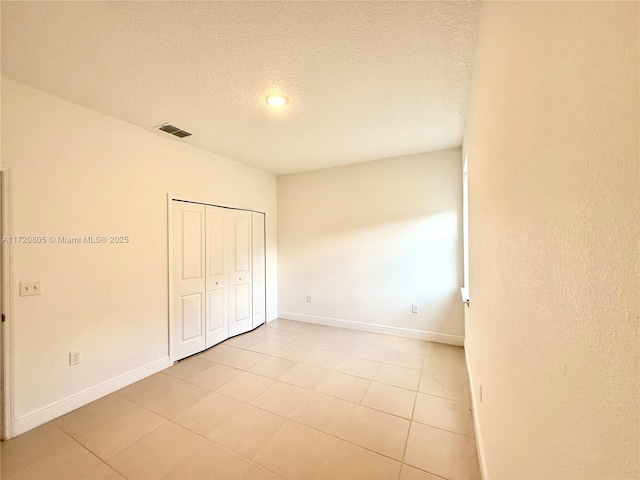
(78, 172)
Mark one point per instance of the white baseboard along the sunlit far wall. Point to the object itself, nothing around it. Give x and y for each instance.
(371, 327)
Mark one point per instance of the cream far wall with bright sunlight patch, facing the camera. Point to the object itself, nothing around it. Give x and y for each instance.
(367, 241)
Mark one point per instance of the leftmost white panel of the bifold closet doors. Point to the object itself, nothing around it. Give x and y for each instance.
(188, 279)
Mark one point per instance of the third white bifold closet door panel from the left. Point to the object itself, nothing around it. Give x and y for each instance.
(239, 248)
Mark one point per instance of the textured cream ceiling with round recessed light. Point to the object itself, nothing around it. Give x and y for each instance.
(366, 80)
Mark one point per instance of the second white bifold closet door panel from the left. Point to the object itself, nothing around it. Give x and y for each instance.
(216, 281)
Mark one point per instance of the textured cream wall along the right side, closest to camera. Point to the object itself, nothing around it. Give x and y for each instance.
(552, 328)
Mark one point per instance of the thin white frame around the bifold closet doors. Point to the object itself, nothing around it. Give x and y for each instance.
(171, 198)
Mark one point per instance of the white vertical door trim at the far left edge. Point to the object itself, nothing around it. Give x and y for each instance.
(8, 420)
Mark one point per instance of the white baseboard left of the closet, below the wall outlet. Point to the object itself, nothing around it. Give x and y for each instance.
(56, 409)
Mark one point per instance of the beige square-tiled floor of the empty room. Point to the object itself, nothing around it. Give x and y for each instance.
(287, 400)
